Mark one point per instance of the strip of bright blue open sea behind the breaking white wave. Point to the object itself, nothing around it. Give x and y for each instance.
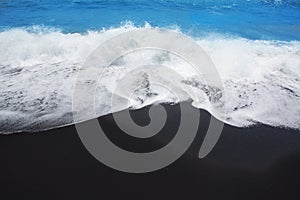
(252, 19)
